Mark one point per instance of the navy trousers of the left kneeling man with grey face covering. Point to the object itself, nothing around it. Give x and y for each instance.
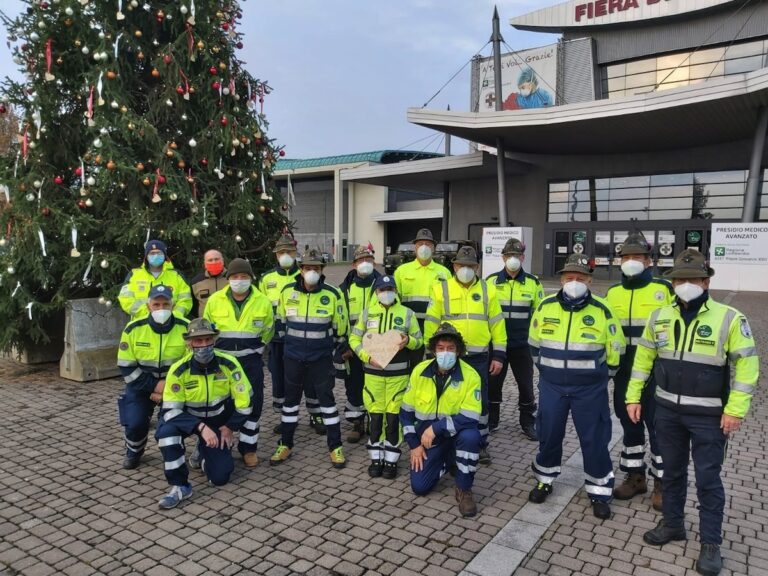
(216, 462)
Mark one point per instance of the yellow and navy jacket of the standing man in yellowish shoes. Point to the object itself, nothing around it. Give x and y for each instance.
(313, 323)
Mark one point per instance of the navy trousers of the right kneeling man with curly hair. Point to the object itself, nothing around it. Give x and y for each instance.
(462, 451)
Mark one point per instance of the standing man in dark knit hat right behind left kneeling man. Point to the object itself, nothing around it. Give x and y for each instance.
(243, 316)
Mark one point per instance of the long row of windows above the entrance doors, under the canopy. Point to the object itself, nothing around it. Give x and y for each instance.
(684, 196)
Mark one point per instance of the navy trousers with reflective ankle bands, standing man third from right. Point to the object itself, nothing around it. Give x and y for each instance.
(588, 406)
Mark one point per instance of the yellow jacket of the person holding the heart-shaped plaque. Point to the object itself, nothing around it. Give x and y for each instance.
(377, 319)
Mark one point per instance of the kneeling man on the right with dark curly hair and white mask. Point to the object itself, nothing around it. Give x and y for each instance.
(440, 413)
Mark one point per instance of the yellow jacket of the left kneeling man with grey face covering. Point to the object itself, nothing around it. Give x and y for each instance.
(218, 392)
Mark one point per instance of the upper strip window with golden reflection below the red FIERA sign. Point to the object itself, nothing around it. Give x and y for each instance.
(682, 68)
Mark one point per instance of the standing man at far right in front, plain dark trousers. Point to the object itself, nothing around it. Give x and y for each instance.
(691, 347)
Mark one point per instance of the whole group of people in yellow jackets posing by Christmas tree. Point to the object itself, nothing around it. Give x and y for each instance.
(668, 347)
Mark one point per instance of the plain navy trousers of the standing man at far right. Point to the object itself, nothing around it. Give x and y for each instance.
(681, 435)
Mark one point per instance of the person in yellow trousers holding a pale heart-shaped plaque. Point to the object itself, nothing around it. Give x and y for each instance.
(384, 385)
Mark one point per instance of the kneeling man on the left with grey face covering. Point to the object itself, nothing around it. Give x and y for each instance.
(208, 394)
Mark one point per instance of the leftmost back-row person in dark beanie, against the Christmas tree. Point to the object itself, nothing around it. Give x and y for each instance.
(156, 270)
